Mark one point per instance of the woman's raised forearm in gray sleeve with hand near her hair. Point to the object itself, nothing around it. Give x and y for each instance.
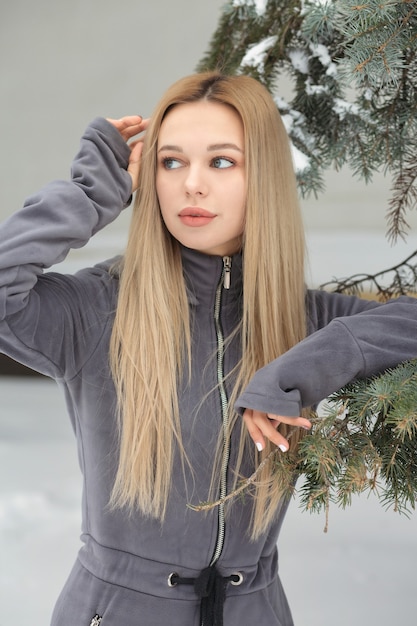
(65, 214)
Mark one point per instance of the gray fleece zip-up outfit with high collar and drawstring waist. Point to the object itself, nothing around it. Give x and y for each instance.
(60, 325)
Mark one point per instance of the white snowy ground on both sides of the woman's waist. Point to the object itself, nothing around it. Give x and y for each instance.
(361, 572)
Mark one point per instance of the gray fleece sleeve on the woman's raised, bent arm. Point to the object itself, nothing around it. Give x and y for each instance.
(35, 308)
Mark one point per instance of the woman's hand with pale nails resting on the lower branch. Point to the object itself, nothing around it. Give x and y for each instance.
(264, 425)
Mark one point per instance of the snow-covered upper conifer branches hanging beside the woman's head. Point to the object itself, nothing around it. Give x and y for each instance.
(324, 47)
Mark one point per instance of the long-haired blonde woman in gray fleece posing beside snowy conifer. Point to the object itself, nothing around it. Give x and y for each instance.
(160, 353)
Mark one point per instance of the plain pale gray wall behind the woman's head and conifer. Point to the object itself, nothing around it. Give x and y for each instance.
(63, 63)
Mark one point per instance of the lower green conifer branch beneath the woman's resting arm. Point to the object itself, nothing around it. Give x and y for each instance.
(365, 441)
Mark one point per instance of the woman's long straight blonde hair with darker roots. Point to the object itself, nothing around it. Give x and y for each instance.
(151, 339)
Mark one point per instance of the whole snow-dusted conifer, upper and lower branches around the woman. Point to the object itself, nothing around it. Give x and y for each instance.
(352, 71)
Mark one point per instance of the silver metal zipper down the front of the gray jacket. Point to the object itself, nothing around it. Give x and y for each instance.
(224, 283)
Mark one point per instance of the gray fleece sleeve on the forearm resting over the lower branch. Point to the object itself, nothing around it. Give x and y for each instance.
(349, 347)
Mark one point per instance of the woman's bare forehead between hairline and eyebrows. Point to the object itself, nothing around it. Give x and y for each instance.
(211, 119)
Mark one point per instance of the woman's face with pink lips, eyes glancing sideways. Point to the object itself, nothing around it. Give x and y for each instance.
(200, 180)
